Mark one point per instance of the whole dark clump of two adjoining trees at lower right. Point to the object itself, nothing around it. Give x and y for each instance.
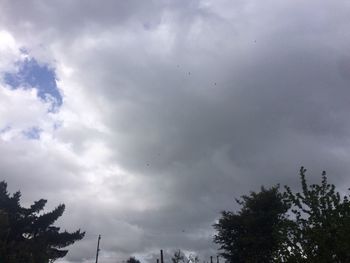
(318, 229)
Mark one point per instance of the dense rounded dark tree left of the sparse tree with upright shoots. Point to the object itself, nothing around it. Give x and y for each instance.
(255, 233)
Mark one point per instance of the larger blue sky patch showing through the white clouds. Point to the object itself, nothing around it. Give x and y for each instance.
(42, 77)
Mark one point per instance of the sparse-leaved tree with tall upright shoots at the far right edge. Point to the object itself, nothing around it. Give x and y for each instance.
(321, 231)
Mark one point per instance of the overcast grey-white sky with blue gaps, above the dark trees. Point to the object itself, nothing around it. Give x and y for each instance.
(148, 118)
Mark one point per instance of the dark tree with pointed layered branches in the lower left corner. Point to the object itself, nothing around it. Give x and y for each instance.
(27, 234)
